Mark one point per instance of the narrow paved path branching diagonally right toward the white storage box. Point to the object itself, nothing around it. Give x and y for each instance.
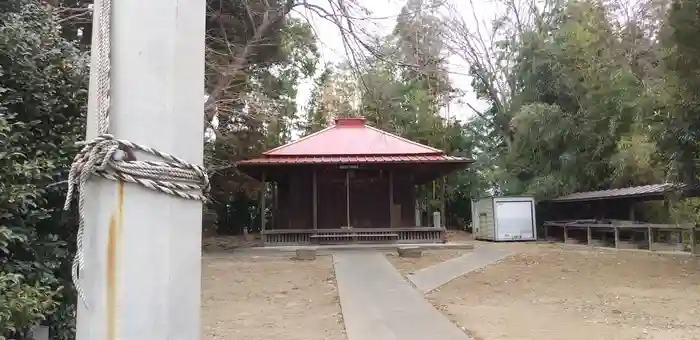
(430, 278)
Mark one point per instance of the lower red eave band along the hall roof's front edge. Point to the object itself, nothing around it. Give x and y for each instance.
(355, 159)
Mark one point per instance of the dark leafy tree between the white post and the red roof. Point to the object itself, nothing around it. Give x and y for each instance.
(259, 114)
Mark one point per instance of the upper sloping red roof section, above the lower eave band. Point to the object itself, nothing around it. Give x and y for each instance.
(352, 137)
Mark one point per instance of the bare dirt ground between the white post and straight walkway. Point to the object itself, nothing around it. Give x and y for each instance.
(274, 298)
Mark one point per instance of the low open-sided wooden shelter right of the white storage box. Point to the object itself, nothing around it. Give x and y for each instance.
(610, 218)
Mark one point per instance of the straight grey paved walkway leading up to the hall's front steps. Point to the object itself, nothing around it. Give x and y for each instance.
(378, 304)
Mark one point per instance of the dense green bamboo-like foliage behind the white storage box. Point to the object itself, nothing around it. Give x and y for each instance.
(578, 110)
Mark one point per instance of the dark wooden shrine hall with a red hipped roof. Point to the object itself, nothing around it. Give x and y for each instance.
(348, 183)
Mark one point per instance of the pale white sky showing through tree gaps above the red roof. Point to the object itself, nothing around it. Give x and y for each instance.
(384, 13)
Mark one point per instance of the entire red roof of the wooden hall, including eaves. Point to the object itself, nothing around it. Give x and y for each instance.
(350, 140)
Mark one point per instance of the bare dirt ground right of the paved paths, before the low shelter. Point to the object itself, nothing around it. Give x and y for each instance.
(547, 292)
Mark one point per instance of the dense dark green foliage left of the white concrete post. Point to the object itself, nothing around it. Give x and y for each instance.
(43, 81)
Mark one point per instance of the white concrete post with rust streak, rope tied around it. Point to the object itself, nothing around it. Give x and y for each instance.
(143, 248)
